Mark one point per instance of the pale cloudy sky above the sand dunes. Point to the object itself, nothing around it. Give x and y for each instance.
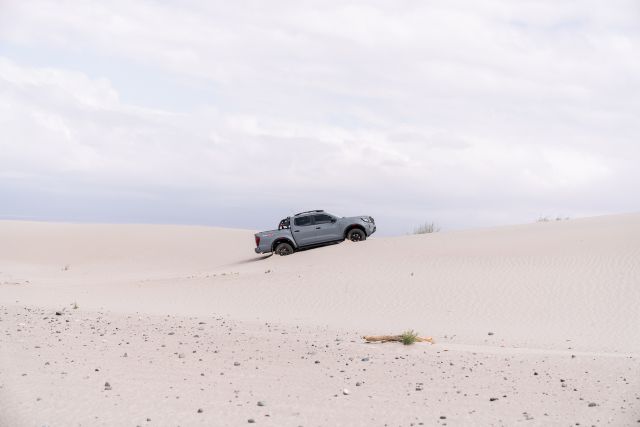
(236, 114)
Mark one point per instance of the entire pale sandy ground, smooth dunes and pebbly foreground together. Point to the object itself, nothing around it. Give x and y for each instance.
(534, 324)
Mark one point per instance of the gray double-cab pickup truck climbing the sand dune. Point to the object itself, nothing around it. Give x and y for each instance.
(313, 228)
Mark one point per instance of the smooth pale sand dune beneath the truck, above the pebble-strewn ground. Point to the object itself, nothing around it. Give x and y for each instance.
(537, 284)
